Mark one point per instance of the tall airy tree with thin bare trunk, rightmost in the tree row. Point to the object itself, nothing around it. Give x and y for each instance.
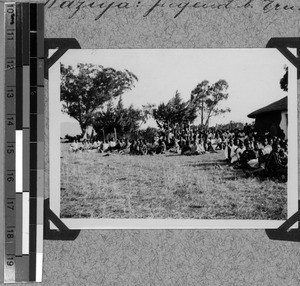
(206, 98)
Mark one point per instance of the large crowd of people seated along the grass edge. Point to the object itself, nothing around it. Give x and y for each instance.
(243, 148)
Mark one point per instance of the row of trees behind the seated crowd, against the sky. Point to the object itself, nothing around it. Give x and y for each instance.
(88, 93)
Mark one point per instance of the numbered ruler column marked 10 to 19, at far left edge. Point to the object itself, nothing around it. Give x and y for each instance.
(10, 124)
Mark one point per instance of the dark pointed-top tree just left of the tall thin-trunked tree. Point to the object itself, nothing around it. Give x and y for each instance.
(176, 111)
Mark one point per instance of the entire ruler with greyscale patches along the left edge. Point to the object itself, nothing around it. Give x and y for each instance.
(24, 141)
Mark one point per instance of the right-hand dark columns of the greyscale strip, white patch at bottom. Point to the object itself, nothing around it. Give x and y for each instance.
(37, 137)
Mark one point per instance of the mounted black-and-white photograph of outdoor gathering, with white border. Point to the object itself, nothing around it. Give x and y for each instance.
(173, 135)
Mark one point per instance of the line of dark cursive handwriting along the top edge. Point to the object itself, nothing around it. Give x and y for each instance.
(75, 6)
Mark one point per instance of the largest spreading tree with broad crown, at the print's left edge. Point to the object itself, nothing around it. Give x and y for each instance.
(85, 89)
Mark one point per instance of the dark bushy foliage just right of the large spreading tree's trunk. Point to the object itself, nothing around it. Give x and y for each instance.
(123, 120)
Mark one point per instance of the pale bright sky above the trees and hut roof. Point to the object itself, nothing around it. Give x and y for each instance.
(253, 75)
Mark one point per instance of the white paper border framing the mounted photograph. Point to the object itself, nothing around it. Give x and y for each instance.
(87, 223)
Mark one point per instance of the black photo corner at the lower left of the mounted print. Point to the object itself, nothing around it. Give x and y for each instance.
(62, 232)
